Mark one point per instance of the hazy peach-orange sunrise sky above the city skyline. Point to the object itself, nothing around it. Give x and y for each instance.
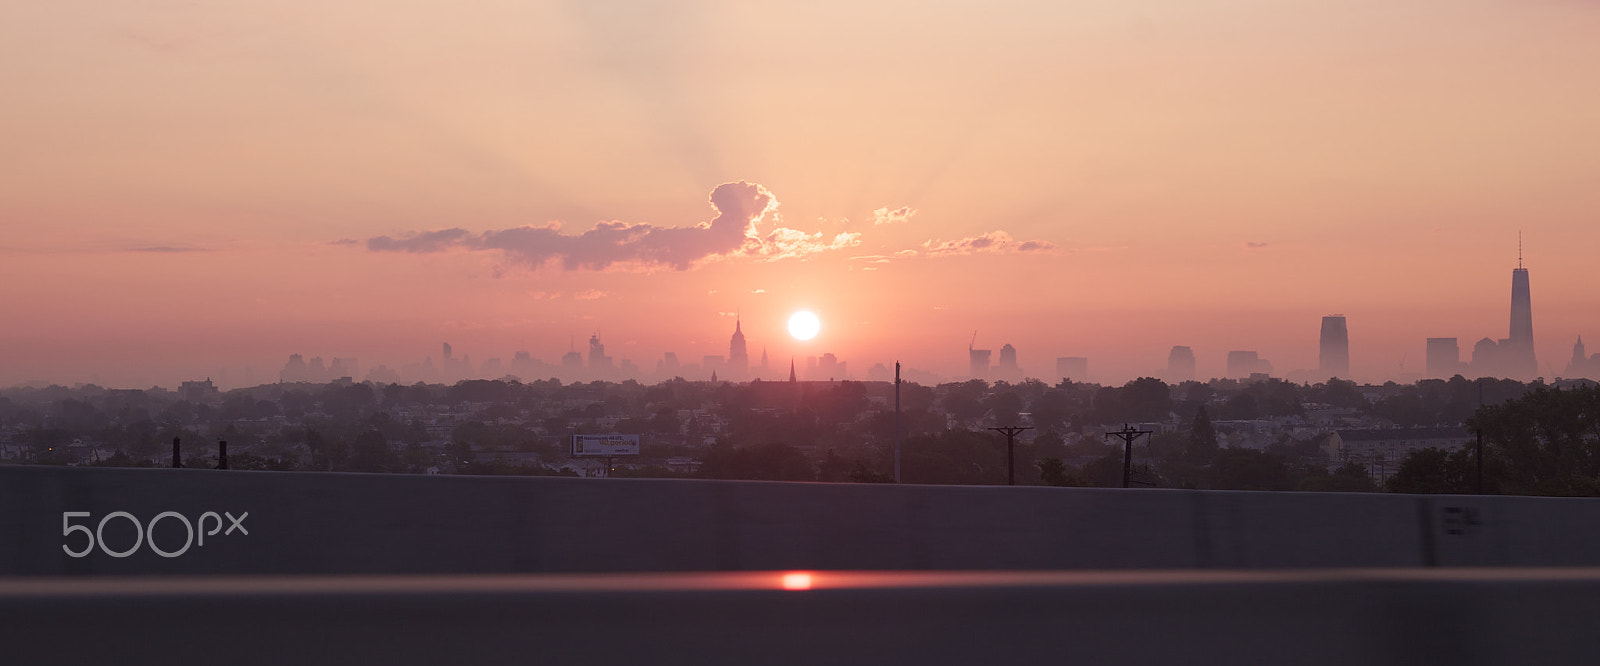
(196, 188)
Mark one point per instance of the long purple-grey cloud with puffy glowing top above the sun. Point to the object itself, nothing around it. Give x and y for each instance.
(734, 233)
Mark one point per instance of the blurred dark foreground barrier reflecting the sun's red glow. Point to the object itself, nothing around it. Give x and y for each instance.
(1330, 617)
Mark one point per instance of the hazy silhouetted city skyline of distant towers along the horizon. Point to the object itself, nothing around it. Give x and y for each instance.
(1441, 358)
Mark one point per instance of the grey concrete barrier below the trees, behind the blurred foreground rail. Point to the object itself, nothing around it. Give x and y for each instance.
(306, 523)
